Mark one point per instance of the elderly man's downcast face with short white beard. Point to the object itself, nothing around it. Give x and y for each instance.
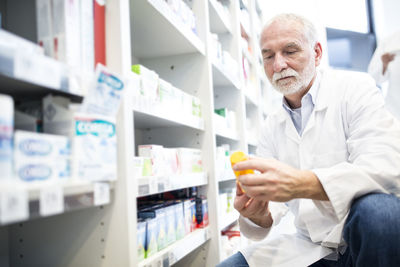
(289, 60)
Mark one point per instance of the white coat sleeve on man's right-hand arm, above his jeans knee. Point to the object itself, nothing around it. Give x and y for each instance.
(373, 143)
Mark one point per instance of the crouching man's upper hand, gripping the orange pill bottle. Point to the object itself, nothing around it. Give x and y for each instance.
(278, 182)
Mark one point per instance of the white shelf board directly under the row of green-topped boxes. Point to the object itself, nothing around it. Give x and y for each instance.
(154, 119)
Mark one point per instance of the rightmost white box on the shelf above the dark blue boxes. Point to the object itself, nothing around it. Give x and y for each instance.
(190, 160)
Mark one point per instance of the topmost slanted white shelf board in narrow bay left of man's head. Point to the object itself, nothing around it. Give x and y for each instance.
(219, 20)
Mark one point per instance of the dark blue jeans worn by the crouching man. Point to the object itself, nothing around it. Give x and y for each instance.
(372, 232)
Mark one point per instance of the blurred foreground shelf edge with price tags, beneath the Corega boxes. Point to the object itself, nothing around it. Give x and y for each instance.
(24, 202)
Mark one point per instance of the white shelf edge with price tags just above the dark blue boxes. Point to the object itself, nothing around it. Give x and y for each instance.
(154, 185)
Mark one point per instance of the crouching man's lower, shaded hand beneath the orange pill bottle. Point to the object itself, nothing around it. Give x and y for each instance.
(255, 210)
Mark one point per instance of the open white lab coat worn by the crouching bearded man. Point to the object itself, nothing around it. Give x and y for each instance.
(351, 143)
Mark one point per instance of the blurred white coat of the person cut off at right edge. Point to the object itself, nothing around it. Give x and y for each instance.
(392, 74)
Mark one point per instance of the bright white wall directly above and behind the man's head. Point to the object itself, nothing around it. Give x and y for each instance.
(306, 8)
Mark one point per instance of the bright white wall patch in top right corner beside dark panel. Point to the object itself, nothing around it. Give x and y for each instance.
(387, 17)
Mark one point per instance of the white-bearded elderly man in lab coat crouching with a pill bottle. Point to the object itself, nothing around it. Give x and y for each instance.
(330, 155)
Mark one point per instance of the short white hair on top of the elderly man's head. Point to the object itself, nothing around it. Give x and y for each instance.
(309, 29)
